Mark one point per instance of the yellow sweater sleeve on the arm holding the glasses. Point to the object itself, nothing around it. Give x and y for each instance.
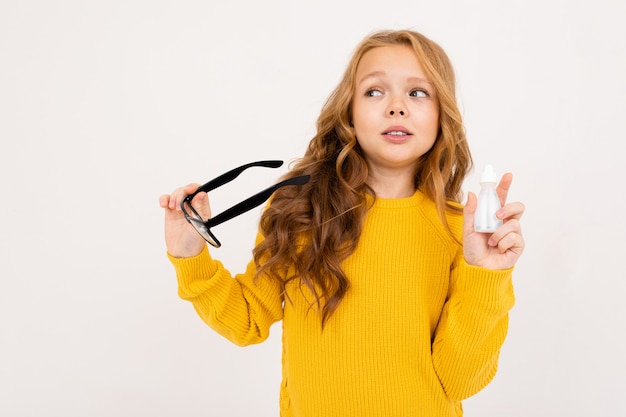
(238, 308)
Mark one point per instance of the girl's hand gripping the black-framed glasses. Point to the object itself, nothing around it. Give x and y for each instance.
(181, 239)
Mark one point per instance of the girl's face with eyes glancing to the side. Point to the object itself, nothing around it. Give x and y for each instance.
(395, 113)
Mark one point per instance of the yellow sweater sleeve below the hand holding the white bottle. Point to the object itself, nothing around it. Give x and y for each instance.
(472, 328)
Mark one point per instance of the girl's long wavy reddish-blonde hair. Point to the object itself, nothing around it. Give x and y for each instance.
(308, 231)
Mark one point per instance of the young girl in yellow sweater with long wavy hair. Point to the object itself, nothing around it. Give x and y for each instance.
(392, 305)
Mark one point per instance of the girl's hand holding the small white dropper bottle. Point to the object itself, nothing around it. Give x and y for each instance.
(501, 249)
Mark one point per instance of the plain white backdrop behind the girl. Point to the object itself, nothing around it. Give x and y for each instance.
(105, 105)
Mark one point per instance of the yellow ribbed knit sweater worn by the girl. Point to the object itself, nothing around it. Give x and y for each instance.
(418, 331)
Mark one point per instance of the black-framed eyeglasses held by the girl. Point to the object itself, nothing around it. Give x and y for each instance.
(203, 227)
